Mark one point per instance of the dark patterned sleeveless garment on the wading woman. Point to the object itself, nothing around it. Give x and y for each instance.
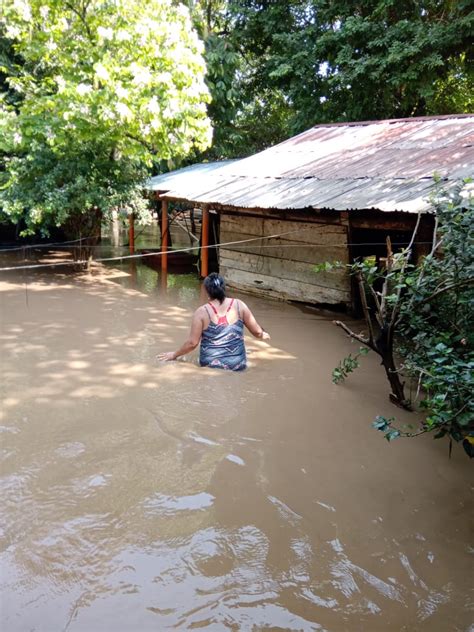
(222, 344)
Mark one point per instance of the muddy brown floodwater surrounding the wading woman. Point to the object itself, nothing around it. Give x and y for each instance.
(143, 496)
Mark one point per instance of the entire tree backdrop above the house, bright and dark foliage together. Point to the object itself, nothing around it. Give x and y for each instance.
(94, 95)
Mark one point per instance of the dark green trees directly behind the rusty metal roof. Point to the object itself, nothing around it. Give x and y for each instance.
(297, 63)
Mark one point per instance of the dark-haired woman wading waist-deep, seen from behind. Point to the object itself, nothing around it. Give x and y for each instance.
(219, 327)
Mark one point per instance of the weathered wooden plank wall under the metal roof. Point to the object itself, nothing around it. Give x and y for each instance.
(283, 267)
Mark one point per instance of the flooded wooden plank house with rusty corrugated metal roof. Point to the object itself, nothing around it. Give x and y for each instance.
(334, 192)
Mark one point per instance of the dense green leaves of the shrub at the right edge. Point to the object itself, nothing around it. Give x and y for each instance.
(436, 327)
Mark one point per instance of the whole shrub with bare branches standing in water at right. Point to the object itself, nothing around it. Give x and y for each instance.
(421, 324)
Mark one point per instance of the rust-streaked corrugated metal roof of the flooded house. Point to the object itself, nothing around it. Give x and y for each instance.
(387, 165)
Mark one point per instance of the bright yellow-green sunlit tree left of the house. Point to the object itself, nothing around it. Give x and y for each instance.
(102, 91)
